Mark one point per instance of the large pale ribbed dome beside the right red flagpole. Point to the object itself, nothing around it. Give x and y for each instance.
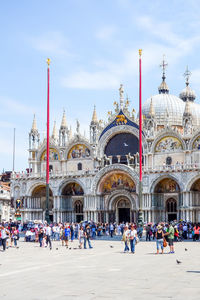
(168, 109)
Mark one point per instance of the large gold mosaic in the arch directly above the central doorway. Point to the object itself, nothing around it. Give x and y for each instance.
(117, 180)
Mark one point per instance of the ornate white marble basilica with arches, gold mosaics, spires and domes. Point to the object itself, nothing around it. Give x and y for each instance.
(98, 178)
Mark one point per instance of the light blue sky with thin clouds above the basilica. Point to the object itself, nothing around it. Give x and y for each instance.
(93, 46)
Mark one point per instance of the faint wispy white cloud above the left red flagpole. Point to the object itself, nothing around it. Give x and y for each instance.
(51, 43)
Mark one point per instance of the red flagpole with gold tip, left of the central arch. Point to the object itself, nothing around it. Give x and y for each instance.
(47, 157)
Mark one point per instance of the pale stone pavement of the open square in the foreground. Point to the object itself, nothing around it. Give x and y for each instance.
(32, 273)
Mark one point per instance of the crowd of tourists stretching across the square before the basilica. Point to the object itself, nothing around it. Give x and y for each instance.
(130, 234)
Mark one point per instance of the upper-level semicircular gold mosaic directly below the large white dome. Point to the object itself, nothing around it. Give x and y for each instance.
(168, 144)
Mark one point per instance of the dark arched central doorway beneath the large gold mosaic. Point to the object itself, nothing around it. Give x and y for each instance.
(123, 208)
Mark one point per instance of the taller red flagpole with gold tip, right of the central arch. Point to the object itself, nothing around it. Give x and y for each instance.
(140, 217)
